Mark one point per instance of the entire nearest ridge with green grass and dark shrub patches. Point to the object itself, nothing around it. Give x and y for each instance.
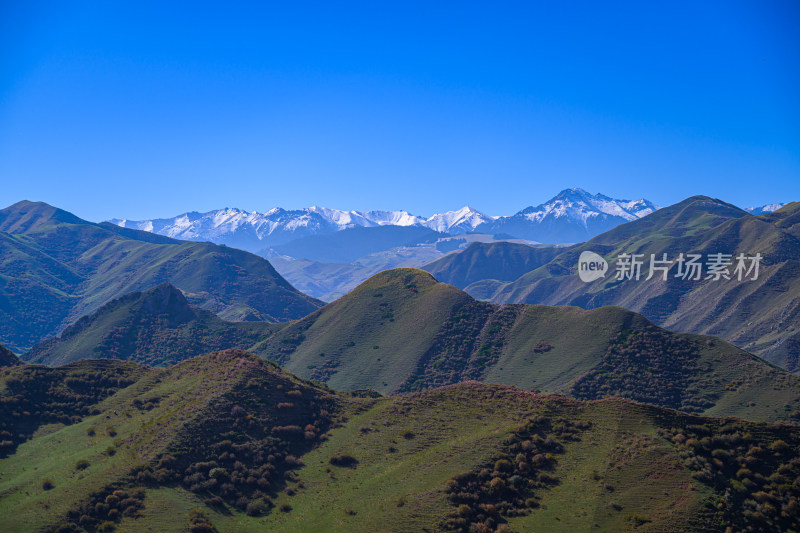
(229, 442)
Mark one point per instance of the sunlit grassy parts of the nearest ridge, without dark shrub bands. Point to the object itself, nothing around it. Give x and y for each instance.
(620, 466)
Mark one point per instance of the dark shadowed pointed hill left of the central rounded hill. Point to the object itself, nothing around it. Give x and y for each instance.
(157, 327)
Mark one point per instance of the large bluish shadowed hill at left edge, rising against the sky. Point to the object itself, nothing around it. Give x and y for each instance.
(56, 268)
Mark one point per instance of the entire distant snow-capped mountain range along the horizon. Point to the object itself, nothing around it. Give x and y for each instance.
(573, 215)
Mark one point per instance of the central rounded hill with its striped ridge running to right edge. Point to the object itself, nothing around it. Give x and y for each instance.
(403, 331)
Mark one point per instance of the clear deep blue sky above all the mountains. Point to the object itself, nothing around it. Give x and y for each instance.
(155, 108)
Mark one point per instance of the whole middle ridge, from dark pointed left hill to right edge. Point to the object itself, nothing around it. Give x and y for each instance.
(402, 331)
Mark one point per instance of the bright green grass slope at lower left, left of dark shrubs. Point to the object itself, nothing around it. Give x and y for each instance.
(188, 394)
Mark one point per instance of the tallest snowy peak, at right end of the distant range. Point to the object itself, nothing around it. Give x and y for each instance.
(574, 215)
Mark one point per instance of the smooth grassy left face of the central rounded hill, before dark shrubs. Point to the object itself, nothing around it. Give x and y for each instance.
(380, 312)
